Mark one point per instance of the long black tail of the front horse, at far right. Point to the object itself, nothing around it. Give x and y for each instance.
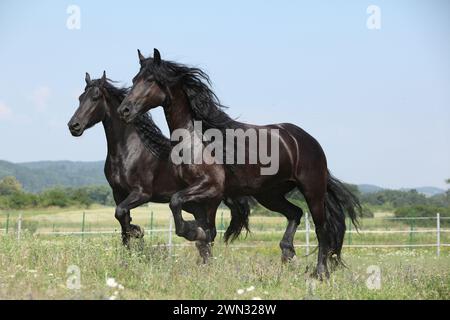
(338, 201)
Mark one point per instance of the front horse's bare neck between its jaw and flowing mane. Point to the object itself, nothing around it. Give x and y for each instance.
(178, 113)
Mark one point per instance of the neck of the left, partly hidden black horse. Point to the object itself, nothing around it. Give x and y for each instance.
(117, 131)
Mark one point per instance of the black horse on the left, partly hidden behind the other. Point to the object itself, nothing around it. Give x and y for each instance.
(137, 165)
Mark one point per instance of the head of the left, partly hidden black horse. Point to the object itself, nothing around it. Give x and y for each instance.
(92, 107)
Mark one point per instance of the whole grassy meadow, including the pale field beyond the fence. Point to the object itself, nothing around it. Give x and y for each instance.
(36, 266)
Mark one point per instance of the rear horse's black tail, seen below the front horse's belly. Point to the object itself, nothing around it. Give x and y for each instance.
(240, 210)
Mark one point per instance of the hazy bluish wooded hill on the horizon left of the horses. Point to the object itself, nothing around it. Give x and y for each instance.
(38, 176)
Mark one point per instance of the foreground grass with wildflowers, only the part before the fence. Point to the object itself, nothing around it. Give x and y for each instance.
(35, 268)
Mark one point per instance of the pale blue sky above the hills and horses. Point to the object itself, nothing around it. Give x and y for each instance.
(378, 101)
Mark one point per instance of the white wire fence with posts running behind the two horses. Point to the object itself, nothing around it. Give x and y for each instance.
(16, 227)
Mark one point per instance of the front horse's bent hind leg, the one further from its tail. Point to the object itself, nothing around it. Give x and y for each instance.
(292, 213)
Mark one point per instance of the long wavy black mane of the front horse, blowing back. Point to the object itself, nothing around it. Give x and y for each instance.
(204, 103)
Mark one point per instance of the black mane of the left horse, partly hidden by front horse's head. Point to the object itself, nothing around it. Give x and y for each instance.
(152, 137)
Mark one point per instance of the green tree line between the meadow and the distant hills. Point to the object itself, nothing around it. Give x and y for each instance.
(402, 203)
